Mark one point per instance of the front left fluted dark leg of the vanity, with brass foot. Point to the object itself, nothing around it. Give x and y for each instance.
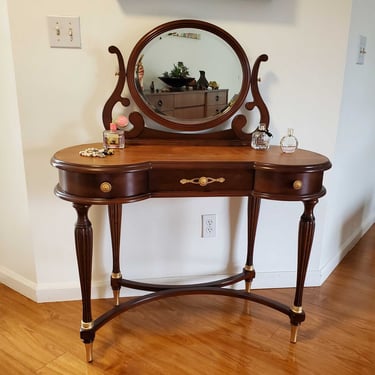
(84, 246)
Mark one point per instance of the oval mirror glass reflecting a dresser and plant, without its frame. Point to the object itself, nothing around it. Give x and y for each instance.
(188, 73)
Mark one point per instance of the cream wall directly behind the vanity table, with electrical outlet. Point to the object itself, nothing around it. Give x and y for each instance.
(61, 93)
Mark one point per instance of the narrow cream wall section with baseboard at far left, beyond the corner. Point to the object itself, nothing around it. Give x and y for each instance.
(17, 264)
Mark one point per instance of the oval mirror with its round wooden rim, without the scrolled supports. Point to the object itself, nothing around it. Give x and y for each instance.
(188, 75)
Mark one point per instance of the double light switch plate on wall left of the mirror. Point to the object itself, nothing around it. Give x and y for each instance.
(64, 31)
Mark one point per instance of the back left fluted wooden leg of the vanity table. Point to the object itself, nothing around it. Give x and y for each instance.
(115, 215)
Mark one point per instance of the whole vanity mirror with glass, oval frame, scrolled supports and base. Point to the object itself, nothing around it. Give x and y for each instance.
(164, 76)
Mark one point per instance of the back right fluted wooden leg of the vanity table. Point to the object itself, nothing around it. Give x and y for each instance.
(252, 222)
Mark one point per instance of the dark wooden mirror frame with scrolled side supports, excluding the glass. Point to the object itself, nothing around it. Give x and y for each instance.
(176, 130)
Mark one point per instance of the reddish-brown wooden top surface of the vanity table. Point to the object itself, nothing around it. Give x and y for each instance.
(140, 154)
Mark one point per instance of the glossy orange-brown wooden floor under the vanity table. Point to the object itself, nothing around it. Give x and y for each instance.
(203, 334)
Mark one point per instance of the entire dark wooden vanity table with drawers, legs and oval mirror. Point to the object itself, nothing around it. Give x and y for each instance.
(187, 158)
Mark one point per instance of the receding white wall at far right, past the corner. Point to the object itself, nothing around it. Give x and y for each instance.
(352, 187)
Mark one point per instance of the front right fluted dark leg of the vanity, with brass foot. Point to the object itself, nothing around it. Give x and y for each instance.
(305, 240)
